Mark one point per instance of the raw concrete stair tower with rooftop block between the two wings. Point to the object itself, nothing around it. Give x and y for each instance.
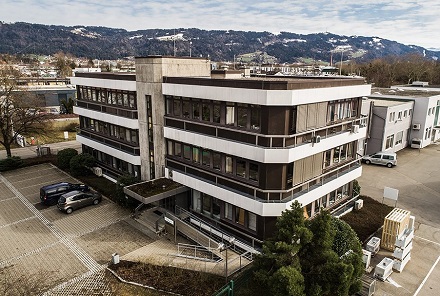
(149, 77)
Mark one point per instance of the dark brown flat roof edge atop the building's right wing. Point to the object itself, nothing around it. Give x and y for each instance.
(266, 83)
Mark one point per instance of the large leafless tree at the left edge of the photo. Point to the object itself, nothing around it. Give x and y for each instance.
(20, 110)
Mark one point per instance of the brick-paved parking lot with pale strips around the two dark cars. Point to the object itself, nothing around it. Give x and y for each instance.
(53, 251)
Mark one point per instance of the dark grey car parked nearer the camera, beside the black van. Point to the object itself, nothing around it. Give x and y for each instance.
(76, 199)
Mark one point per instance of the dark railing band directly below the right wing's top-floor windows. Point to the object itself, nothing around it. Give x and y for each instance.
(257, 139)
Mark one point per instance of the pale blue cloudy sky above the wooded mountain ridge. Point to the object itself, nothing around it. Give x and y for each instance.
(405, 21)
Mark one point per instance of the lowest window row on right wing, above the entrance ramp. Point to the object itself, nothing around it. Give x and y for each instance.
(212, 207)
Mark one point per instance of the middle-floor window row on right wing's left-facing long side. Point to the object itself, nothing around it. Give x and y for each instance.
(214, 160)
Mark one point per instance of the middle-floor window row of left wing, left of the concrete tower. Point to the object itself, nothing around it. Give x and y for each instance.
(111, 130)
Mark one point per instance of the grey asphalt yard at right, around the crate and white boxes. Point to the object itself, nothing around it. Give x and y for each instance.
(417, 177)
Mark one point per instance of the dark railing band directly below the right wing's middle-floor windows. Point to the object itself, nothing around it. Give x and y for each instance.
(266, 196)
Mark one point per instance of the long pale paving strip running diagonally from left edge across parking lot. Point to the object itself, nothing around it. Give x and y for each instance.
(80, 254)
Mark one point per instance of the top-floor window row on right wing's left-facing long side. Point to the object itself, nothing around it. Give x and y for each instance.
(243, 116)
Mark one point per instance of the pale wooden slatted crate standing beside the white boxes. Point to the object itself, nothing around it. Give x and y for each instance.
(394, 225)
